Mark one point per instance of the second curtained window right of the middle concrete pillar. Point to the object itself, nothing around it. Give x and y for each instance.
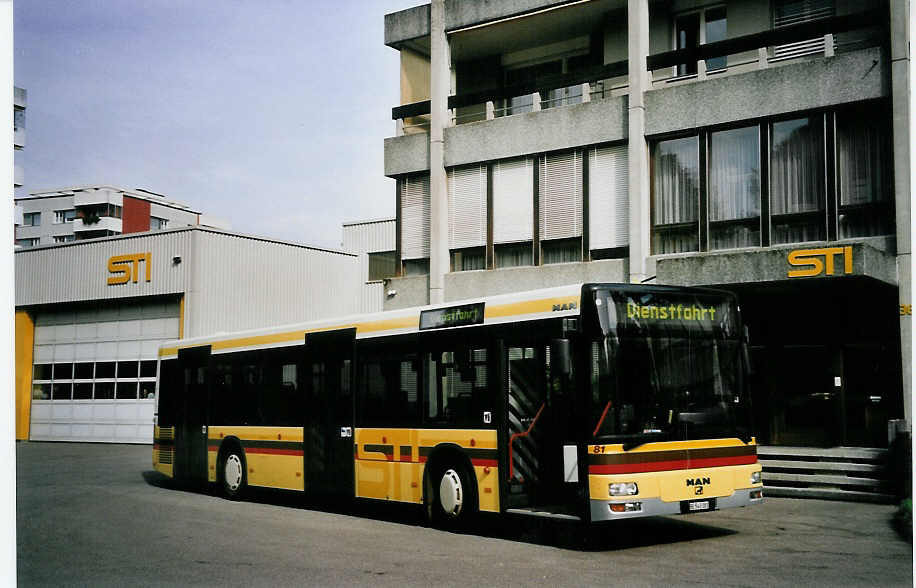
(734, 188)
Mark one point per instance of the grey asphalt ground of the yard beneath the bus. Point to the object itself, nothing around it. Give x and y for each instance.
(97, 515)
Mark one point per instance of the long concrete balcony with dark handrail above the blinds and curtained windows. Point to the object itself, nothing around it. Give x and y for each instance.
(805, 66)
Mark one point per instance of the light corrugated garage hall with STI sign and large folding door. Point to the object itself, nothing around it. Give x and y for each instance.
(90, 316)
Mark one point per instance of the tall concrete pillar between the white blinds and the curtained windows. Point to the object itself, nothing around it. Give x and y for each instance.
(637, 150)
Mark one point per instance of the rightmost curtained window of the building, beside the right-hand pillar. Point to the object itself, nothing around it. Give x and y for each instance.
(865, 206)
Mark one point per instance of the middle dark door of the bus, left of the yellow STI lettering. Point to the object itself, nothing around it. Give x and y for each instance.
(328, 433)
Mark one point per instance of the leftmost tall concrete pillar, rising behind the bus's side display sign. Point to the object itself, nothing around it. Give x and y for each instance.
(439, 84)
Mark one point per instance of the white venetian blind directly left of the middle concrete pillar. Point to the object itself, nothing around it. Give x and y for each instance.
(608, 197)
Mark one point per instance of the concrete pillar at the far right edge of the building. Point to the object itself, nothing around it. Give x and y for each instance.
(900, 90)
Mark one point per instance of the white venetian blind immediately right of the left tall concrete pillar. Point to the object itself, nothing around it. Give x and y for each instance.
(467, 207)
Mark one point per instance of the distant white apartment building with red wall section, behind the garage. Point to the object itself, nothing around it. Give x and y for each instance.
(87, 212)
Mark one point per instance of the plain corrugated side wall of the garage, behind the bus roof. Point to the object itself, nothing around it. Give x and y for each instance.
(244, 283)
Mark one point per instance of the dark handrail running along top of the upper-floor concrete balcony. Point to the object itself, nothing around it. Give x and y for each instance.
(780, 36)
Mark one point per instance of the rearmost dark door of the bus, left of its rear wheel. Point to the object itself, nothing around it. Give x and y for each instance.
(191, 414)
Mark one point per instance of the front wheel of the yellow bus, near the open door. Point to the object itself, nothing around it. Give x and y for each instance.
(451, 496)
